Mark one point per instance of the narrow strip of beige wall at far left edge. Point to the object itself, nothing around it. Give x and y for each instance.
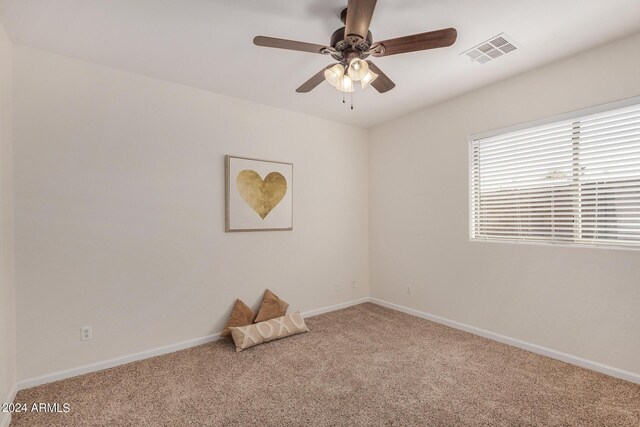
(7, 286)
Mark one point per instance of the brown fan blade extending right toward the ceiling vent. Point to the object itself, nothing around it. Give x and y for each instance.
(415, 42)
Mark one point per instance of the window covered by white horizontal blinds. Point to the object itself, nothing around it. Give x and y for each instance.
(575, 180)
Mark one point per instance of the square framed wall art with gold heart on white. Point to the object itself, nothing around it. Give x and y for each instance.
(259, 195)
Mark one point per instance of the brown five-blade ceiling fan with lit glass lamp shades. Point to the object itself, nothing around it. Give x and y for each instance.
(352, 44)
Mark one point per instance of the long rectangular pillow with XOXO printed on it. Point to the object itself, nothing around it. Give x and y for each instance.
(274, 329)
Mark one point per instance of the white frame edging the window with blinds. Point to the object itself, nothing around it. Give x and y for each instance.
(571, 115)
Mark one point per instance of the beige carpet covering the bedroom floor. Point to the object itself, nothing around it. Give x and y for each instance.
(362, 366)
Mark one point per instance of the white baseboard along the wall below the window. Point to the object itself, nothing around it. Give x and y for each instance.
(568, 358)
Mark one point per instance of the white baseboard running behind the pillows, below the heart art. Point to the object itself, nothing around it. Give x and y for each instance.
(98, 366)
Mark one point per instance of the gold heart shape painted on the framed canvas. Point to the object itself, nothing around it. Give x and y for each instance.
(262, 195)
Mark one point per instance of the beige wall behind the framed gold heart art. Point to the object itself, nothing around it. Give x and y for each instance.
(119, 183)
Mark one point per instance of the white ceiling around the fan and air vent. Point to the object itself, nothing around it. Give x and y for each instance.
(208, 43)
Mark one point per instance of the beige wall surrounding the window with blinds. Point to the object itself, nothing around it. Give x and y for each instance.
(584, 302)
